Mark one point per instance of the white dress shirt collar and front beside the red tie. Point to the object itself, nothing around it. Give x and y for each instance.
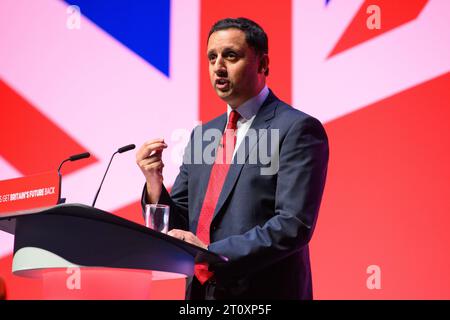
(248, 111)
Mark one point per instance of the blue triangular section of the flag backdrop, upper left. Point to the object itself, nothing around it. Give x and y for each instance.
(143, 26)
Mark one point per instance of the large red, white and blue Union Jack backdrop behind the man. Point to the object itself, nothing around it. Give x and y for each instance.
(87, 75)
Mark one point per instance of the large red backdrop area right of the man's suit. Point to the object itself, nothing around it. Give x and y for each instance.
(386, 199)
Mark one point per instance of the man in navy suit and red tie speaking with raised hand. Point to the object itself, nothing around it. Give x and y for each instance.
(260, 214)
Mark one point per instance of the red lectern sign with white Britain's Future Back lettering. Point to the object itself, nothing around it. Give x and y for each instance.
(36, 191)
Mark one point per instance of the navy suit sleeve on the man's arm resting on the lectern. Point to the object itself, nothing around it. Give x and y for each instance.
(300, 183)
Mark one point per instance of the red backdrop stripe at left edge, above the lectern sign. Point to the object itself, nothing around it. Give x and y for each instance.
(30, 141)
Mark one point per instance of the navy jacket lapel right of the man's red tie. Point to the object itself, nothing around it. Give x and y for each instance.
(261, 121)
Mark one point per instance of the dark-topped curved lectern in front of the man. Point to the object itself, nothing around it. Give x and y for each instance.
(117, 258)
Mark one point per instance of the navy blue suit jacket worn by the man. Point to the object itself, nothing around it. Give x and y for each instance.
(262, 223)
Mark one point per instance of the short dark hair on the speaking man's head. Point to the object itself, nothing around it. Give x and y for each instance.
(254, 35)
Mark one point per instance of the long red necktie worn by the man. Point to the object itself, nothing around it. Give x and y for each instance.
(219, 172)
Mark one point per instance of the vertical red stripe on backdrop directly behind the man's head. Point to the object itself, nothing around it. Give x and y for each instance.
(274, 16)
